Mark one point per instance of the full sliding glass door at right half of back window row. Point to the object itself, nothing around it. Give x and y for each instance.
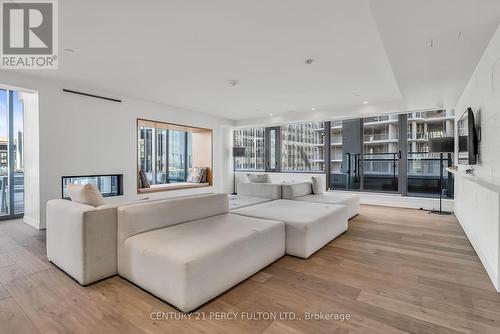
(389, 154)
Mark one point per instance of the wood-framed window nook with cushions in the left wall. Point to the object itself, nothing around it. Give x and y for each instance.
(167, 153)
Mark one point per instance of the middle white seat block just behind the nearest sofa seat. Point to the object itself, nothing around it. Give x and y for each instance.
(309, 226)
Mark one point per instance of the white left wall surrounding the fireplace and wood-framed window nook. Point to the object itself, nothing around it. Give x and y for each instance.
(81, 135)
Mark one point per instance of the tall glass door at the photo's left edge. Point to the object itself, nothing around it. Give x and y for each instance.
(11, 155)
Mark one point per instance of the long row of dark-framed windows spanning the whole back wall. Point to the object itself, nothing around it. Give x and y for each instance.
(387, 153)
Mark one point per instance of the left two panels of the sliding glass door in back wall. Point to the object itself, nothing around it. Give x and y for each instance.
(366, 154)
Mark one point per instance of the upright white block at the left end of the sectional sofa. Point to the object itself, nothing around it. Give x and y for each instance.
(81, 239)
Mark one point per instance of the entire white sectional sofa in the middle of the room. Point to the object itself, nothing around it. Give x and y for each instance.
(188, 250)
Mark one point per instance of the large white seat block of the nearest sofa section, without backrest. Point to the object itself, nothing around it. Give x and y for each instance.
(191, 263)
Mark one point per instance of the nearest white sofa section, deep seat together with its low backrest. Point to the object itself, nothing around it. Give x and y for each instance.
(189, 250)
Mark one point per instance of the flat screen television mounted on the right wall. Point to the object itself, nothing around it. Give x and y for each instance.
(467, 139)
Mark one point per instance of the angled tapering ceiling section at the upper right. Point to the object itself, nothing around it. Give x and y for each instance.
(458, 30)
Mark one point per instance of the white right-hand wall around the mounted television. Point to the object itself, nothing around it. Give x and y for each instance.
(477, 197)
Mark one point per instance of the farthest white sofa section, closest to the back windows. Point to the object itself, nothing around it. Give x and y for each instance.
(302, 191)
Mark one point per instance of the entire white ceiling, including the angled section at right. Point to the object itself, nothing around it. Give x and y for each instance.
(184, 52)
